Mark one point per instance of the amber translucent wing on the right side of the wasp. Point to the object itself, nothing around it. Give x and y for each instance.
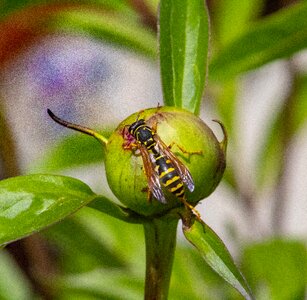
(182, 170)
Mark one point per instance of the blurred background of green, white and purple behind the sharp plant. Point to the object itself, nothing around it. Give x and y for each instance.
(96, 62)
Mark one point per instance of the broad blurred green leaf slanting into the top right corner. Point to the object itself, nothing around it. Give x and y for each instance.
(277, 36)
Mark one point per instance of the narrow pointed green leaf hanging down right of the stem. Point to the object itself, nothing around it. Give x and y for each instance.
(216, 255)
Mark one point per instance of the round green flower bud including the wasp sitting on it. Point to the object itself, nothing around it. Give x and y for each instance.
(161, 157)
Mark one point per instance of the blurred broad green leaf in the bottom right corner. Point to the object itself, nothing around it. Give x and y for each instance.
(278, 267)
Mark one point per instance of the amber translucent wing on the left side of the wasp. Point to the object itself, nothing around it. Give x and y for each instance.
(152, 176)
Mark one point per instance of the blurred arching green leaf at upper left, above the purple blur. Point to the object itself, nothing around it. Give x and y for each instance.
(113, 28)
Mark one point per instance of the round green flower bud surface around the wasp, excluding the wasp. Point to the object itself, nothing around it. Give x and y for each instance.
(202, 154)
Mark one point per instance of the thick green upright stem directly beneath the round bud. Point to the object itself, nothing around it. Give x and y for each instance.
(160, 238)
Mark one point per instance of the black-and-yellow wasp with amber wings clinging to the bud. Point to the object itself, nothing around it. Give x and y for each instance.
(161, 166)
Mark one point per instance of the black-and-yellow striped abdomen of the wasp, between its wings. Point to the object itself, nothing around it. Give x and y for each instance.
(169, 177)
